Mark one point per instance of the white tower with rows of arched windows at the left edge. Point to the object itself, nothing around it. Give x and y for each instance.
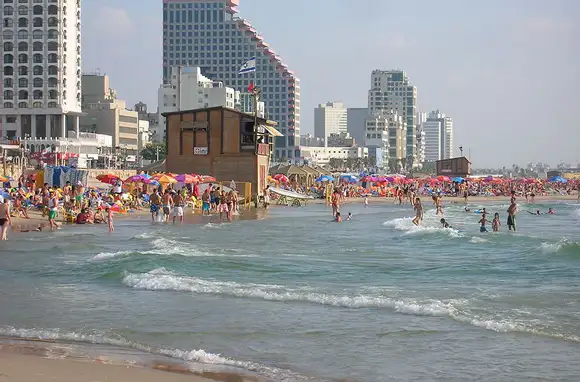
(41, 74)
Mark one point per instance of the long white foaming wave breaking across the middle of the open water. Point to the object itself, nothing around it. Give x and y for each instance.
(457, 309)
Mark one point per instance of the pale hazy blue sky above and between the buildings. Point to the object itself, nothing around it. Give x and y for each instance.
(506, 71)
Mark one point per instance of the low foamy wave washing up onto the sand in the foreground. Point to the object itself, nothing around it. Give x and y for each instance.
(196, 355)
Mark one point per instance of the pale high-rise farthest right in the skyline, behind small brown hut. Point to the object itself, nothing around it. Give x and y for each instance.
(438, 130)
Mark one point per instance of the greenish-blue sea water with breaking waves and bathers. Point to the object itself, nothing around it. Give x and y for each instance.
(292, 296)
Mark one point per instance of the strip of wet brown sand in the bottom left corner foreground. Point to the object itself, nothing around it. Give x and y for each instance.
(28, 359)
